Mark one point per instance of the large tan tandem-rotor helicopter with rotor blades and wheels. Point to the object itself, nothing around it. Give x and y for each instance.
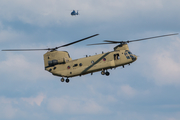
(59, 63)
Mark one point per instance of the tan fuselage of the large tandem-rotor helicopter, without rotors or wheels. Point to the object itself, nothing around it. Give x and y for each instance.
(60, 64)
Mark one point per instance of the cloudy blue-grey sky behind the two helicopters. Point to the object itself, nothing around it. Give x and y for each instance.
(148, 89)
